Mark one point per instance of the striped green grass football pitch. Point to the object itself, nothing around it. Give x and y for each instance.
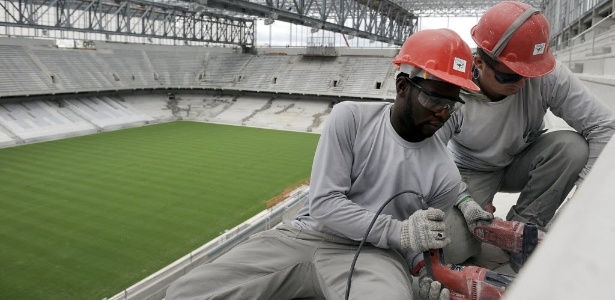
(86, 217)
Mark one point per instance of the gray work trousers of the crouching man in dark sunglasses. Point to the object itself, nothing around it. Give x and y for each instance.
(543, 173)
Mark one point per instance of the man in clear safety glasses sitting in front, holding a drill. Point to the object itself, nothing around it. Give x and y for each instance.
(375, 165)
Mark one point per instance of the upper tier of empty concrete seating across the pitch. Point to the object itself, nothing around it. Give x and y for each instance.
(44, 69)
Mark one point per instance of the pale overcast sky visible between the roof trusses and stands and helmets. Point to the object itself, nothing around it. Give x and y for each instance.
(281, 34)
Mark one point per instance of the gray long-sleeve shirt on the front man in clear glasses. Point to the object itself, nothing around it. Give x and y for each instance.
(360, 162)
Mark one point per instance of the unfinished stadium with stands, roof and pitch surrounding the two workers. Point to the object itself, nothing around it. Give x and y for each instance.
(140, 139)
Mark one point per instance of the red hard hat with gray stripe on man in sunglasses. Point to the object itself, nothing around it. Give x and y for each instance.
(517, 35)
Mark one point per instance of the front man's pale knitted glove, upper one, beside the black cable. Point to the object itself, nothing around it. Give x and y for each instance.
(424, 230)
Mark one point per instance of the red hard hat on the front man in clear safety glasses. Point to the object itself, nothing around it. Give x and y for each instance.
(441, 53)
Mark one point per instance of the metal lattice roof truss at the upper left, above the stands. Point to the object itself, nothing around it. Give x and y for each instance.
(128, 17)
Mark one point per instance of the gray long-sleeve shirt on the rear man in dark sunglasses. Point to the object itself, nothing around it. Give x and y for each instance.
(485, 136)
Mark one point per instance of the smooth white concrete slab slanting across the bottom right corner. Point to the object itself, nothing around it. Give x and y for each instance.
(576, 261)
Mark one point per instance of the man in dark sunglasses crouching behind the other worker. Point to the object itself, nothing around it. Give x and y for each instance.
(498, 139)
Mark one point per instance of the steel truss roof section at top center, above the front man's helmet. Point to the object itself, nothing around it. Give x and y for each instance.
(389, 21)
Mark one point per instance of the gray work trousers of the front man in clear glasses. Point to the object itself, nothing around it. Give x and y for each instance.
(290, 263)
